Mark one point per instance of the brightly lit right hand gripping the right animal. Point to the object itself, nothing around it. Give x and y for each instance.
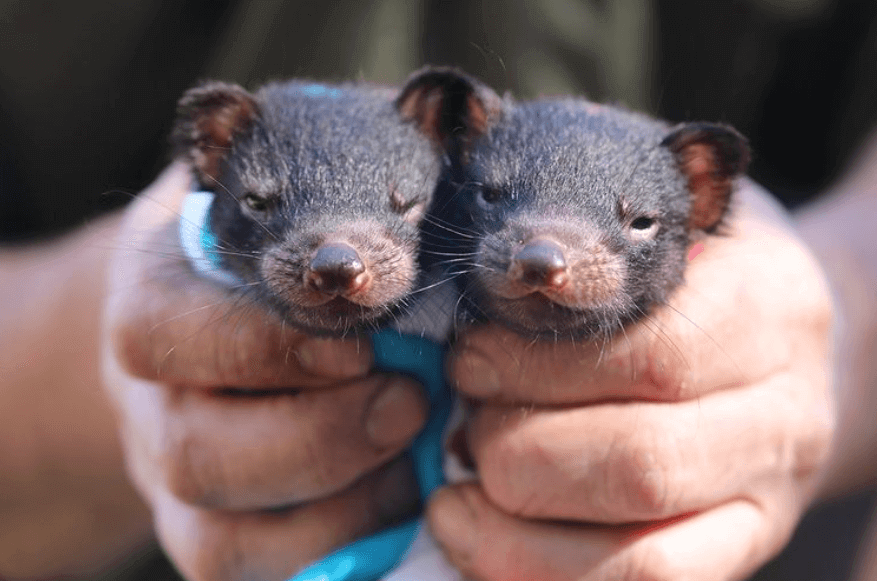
(685, 448)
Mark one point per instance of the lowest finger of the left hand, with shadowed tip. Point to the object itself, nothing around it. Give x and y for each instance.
(231, 545)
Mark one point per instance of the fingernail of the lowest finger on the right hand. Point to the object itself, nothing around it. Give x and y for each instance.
(454, 524)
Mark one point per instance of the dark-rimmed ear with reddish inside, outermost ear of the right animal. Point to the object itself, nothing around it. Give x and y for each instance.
(710, 156)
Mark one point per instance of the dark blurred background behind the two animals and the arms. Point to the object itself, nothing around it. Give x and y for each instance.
(88, 92)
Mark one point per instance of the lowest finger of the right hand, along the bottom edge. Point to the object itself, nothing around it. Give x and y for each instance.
(724, 543)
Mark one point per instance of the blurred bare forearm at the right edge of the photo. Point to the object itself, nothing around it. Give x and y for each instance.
(839, 229)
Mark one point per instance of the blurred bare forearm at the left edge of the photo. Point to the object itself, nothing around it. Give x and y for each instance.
(67, 507)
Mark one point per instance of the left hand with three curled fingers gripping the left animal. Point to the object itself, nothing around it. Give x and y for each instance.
(259, 449)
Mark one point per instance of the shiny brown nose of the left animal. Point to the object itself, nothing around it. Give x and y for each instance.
(336, 269)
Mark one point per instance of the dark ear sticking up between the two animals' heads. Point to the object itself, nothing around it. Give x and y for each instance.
(448, 106)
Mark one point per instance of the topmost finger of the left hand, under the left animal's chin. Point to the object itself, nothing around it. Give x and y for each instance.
(202, 337)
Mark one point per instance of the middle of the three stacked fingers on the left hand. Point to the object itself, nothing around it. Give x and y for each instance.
(257, 452)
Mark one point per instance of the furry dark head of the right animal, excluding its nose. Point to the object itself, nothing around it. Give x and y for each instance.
(608, 184)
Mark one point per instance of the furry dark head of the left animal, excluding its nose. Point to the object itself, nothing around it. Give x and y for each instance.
(312, 163)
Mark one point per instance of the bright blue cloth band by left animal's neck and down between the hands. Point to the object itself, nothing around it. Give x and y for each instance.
(371, 558)
